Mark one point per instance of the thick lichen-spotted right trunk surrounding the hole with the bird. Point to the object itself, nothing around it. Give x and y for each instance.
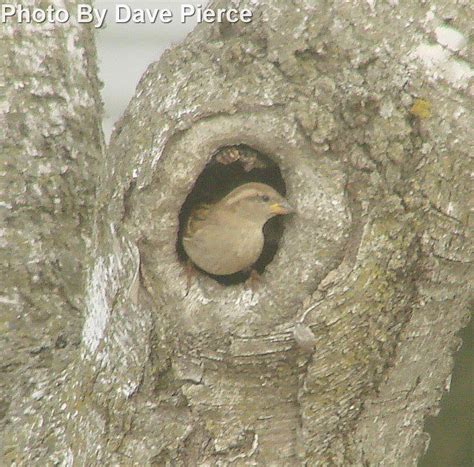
(376, 264)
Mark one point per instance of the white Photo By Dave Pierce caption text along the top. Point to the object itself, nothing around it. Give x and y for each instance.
(121, 13)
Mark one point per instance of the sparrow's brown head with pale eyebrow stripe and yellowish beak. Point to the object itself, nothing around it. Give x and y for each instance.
(256, 201)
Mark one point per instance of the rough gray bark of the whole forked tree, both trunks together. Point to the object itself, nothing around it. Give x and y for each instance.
(366, 110)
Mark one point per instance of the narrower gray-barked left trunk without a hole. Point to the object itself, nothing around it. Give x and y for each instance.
(50, 142)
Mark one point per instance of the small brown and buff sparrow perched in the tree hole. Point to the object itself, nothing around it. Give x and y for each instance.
(227, 237)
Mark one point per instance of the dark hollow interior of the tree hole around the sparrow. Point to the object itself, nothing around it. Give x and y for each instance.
(230, 167)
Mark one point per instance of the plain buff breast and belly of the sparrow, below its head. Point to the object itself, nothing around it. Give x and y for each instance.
(225, 248)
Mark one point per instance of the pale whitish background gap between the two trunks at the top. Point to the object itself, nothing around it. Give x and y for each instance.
(126, 49)
